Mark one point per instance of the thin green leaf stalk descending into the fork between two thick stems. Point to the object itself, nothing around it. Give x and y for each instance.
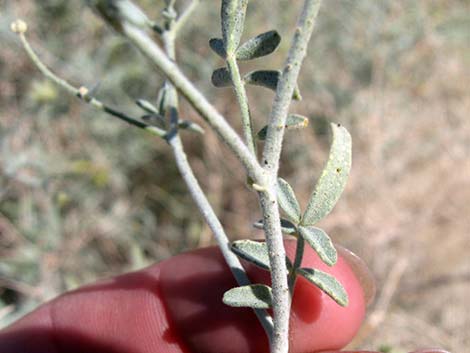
(242, 99)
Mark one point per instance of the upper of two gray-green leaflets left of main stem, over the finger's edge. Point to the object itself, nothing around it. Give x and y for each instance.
(255, 252)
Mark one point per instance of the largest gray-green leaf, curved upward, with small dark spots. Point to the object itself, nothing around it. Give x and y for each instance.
(333, 178)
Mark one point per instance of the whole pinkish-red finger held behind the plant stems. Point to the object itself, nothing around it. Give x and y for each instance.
(177, 307)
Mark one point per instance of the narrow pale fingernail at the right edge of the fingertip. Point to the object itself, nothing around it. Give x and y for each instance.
(362, 272)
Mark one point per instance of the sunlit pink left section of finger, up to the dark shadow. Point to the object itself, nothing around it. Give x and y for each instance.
(121, 315)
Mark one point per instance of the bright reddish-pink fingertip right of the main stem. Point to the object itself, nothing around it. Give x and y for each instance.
(317, 322)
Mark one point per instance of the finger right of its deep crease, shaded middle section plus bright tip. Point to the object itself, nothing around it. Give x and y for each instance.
(197, 311)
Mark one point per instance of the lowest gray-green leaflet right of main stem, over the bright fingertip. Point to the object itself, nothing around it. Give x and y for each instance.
(326, 283)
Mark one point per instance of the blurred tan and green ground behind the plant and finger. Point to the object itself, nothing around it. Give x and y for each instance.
(83, 196)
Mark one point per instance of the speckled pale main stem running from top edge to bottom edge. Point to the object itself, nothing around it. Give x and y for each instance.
(271, 156)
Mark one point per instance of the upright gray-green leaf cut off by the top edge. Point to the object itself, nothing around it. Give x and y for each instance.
(233, 18)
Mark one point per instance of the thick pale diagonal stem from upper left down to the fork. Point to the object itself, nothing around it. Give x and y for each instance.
(153, 52)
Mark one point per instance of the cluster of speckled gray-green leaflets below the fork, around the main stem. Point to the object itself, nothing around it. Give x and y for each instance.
(325, 194)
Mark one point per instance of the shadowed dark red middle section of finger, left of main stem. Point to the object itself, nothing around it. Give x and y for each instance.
(192, 286)
